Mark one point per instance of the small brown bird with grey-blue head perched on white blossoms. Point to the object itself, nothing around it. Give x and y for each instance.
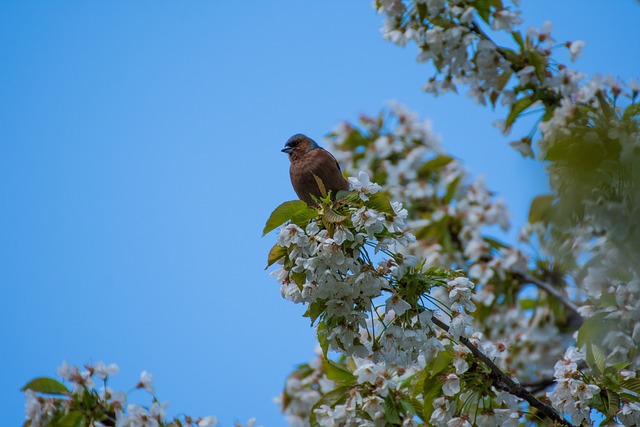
(309, 159)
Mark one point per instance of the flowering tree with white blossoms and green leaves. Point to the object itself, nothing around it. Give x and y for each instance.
(422, 318)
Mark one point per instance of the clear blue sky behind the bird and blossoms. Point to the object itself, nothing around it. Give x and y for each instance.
(140, 156)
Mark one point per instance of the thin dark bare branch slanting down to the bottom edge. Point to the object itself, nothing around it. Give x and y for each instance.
(505, 382)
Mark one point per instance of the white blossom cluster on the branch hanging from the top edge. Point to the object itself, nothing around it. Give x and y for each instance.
(520, 76)
